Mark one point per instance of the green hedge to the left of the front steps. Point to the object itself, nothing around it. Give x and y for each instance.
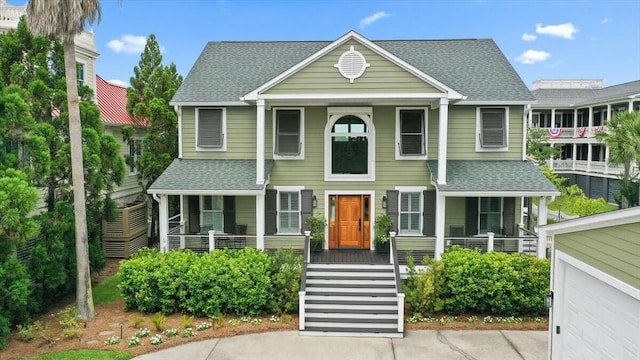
(225, 281)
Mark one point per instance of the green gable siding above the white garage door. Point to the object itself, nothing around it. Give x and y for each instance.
(614, 250)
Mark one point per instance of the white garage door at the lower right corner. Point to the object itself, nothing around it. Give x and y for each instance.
(594, 319)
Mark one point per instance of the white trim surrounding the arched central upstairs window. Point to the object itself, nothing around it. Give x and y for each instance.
(366, 115)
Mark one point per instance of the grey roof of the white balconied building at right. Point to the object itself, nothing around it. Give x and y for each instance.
(583, 97)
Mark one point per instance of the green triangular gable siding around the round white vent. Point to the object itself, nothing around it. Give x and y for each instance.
(382, 76)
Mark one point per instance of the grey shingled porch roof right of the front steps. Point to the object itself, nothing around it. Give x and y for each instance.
(493, 178)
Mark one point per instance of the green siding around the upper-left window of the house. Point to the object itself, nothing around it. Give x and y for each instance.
(240, 136)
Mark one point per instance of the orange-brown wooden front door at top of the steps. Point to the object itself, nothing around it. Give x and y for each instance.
(349, 226)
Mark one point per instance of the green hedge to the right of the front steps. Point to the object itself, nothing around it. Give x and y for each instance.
(466, 281)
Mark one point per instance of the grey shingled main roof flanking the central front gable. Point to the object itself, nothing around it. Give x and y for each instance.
(476, 68)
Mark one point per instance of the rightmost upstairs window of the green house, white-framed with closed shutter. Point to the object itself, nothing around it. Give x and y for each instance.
(492, 129)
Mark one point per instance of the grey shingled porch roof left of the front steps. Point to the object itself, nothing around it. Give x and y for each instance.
(210, 177)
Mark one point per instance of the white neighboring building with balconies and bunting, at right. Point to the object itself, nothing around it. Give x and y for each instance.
(572, 112)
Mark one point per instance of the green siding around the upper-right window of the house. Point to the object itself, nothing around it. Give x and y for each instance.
(462, 135)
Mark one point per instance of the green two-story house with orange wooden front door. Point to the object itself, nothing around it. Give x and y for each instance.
(430, 132)
